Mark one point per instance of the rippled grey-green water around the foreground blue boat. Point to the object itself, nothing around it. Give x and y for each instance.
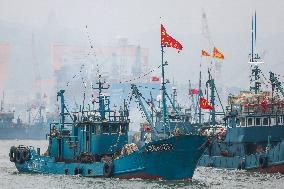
(203, 177)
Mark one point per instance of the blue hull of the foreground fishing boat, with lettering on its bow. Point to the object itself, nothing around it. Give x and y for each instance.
(174, 158)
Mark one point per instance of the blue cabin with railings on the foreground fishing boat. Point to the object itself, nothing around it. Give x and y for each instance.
(95, 135)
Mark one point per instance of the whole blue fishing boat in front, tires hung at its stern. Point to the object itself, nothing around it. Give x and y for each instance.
(95, 144)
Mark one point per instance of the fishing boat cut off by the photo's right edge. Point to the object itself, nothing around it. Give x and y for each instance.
(253, 136)
